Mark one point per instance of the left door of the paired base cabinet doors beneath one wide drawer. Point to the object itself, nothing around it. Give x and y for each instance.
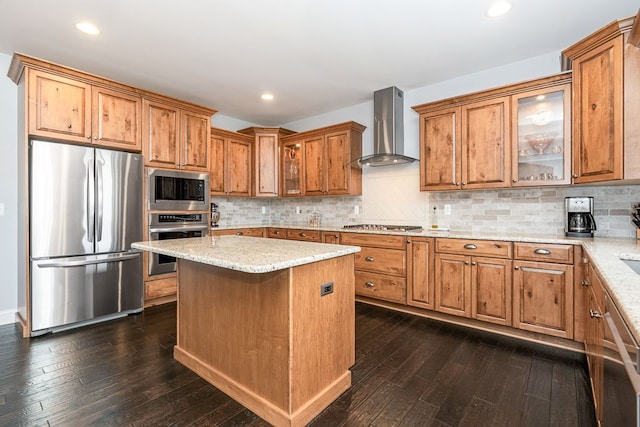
(453, 284)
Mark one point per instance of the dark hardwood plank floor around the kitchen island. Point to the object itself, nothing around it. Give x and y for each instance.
(409, 371)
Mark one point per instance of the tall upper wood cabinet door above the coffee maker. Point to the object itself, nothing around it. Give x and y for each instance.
(598, 113)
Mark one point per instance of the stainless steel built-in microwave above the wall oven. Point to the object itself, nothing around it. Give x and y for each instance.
(170, 190)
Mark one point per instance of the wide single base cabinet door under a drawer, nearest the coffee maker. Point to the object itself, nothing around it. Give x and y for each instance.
(543, 298)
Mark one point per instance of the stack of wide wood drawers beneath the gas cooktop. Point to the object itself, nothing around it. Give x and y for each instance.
(380, 266)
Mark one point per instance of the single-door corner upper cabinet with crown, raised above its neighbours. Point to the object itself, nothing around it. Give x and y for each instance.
(266, 156)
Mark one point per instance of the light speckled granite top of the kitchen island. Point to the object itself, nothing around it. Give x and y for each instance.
(247, 254)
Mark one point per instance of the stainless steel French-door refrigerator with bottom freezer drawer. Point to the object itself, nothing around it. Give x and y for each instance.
(85, 210)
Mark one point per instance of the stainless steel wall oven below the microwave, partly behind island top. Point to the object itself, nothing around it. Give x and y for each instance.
(166, 226)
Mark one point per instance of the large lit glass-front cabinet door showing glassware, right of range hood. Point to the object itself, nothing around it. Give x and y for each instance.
(542, 136)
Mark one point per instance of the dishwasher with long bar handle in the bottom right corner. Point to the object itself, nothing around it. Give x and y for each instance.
(621, 378)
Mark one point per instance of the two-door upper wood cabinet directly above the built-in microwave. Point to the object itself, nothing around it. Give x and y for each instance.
(174, 137)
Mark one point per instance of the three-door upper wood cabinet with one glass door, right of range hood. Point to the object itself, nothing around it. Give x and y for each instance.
(481, 140)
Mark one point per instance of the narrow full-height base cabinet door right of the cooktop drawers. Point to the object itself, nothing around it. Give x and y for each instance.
(420, 289)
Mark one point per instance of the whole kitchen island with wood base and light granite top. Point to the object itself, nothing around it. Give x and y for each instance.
(269, 322)
